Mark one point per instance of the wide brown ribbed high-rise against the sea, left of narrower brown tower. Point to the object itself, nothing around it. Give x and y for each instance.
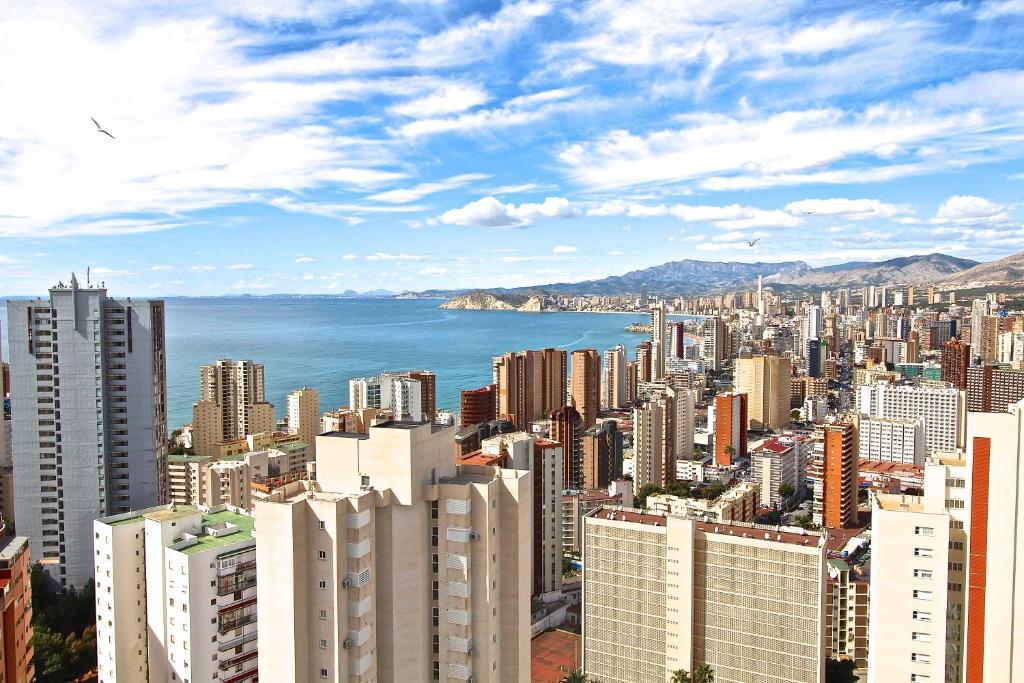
(531, 386)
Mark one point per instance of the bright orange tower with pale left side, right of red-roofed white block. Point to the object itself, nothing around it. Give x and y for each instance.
(834, 466)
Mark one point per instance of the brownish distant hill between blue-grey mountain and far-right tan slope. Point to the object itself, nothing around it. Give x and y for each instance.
(907, 270)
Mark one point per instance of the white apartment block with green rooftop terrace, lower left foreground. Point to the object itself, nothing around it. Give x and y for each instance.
(177, 595)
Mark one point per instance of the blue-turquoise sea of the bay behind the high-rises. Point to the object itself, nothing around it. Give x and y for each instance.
(324, 343)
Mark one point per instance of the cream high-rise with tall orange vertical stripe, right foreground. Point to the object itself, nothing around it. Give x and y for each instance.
(946, 566)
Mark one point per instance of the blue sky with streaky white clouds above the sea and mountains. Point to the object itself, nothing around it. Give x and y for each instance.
(298, 147)
